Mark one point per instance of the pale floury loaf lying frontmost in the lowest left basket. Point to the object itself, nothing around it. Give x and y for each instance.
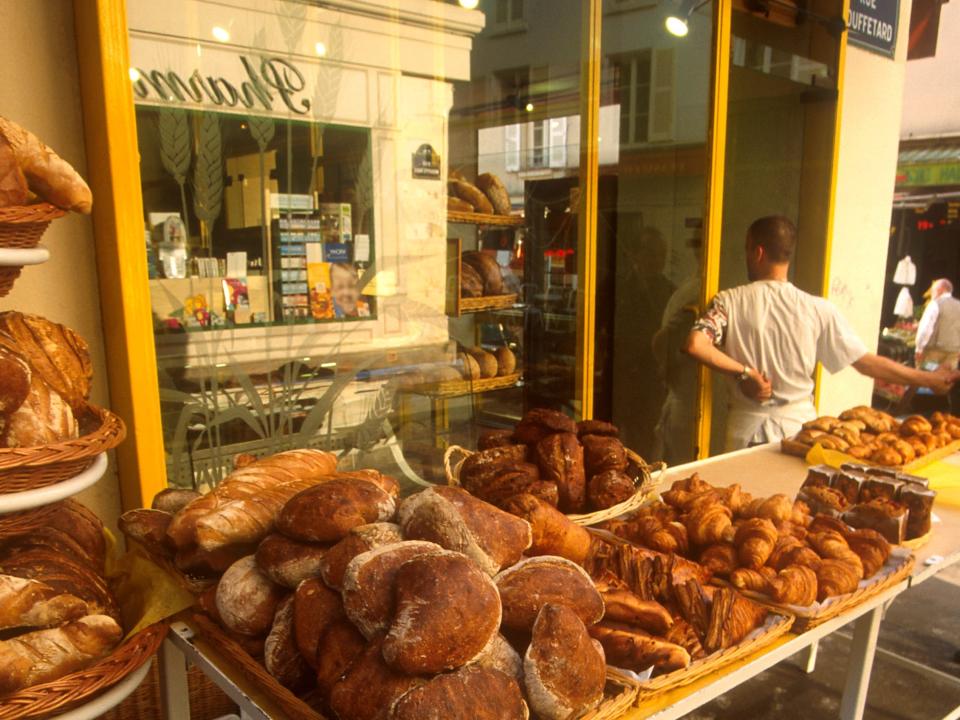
(45, 655)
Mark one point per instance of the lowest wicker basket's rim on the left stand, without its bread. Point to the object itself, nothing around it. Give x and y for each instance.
(57, 696)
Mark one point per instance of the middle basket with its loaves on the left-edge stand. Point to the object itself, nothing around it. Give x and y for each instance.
(49, 431)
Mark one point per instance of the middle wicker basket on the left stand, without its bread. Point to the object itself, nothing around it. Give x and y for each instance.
(35, 467)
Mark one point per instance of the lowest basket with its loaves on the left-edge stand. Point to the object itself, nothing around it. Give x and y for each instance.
(63, 634)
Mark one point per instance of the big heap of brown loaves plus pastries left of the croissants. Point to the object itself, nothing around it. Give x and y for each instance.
(439, 605)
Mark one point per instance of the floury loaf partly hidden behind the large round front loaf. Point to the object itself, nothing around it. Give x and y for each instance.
(368, 583)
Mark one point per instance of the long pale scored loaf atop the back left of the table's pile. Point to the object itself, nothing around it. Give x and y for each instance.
(243, 507)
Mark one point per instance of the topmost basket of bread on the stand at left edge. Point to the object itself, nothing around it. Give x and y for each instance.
(36, 187)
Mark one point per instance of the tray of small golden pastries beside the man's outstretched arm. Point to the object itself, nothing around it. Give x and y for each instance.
(875, 437)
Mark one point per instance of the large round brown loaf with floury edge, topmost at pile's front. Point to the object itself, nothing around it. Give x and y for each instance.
(447, 612)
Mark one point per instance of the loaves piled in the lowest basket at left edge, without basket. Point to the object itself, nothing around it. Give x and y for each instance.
(57, 613)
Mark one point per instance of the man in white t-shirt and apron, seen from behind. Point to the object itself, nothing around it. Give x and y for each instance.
(768, 336)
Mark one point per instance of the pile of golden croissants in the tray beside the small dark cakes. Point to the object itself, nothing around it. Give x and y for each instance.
(771, 546)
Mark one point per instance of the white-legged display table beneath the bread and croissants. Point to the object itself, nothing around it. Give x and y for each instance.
(762, 471)
